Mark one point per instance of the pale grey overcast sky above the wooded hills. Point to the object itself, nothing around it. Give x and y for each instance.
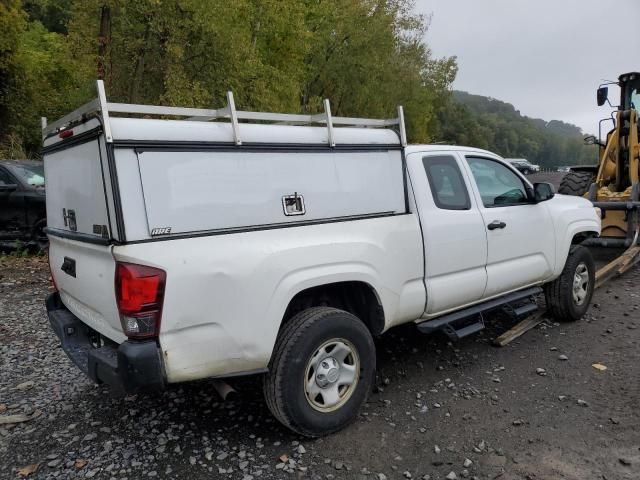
(546, 57)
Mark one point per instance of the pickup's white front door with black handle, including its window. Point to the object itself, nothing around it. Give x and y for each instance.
(520, 234)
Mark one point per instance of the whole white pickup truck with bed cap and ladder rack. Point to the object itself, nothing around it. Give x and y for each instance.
(281, 245)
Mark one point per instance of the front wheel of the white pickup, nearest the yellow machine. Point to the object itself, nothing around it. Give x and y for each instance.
(565, 303)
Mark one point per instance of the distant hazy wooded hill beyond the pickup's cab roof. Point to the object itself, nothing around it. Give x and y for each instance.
(488, 123)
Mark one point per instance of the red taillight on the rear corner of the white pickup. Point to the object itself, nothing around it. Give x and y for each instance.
(139, 293)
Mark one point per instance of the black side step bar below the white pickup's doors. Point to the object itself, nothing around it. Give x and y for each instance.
(461, 323)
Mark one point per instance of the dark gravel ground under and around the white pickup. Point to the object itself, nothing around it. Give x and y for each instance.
(536, 409)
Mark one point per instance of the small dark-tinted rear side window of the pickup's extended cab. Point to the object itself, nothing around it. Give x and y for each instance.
(447, 186)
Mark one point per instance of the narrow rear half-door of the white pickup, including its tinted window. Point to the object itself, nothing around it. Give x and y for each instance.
(453, 231)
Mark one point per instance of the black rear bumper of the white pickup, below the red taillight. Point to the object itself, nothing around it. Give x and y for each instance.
(128, 367)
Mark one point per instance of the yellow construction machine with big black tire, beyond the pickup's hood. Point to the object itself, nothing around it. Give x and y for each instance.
(613, 185)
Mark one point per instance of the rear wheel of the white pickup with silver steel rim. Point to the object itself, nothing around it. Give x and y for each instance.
(302, 361)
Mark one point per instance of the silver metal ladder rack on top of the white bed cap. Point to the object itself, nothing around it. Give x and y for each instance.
(105, 108)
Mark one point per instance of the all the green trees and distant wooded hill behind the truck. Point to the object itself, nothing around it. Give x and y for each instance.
(366, 56)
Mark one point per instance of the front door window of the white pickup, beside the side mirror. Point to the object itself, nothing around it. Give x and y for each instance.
(499, 186)
